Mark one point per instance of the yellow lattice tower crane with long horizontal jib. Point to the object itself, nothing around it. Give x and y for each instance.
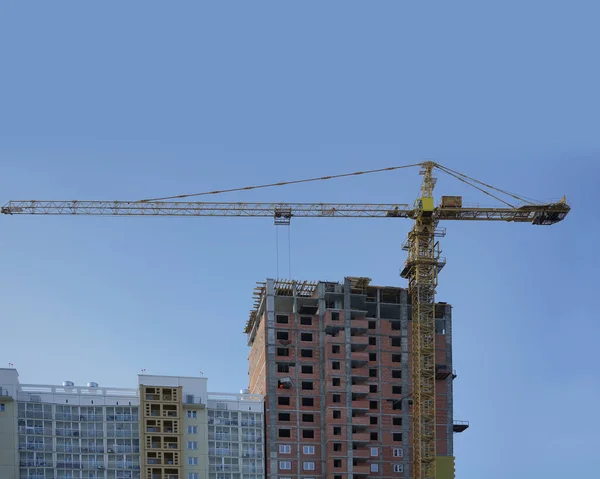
(421, 267)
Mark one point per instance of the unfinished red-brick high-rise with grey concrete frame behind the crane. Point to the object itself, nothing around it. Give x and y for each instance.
(333, 362)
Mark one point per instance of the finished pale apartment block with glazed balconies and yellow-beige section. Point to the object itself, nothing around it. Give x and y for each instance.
(168, 428)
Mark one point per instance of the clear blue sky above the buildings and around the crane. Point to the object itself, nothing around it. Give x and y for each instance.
(128, 100)
